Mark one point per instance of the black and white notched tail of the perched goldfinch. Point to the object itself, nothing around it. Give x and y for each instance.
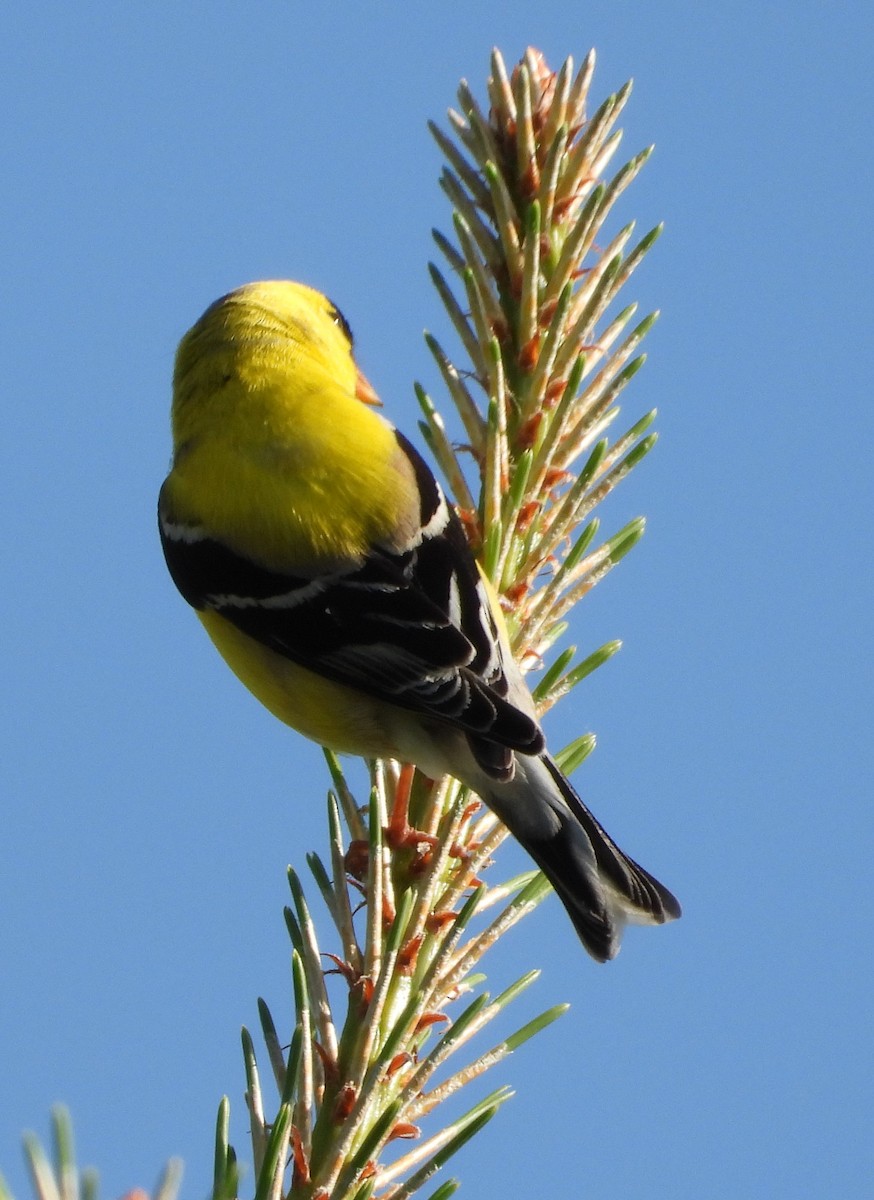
(601, 887)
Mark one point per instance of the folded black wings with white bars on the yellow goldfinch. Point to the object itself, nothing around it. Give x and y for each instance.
(412, 627)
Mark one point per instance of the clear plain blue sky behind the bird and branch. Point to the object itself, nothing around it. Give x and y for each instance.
(157, 157)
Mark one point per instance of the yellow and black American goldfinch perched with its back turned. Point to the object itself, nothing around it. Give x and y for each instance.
(322, 559)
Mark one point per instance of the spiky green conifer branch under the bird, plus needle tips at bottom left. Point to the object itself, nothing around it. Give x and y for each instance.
(530, 286)
